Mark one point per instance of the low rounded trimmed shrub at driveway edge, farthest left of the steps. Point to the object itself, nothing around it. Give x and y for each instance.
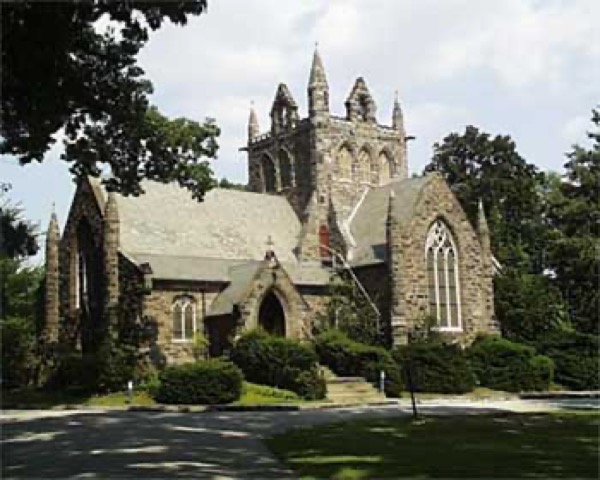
(206, 382)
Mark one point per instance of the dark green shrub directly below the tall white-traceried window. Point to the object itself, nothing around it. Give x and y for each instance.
(435, 367)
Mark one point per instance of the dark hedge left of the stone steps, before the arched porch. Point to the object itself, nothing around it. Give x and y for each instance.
(279, 362)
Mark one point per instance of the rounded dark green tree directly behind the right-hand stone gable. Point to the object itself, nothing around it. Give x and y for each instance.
(477, 167)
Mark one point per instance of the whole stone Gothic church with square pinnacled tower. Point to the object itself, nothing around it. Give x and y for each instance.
(325, 193)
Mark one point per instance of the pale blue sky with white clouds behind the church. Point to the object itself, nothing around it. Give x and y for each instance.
(525, 68)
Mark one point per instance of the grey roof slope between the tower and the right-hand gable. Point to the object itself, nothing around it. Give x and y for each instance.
(368, 225)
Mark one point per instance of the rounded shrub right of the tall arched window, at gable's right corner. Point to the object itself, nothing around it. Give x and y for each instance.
(504, 365)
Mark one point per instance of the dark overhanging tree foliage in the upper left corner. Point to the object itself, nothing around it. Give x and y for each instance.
(61, 73)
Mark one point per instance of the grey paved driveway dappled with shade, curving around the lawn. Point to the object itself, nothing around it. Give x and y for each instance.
(93, 444)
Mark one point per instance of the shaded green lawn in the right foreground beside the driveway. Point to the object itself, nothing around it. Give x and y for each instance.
(502, 446)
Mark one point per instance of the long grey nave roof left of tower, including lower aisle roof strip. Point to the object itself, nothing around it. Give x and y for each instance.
(183, 239)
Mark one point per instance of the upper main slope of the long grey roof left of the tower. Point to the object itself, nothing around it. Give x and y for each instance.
(229, 224)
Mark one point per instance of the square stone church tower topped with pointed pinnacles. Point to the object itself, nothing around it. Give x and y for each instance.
(325, 164)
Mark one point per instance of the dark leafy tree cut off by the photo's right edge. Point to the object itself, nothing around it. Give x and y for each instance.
(573, 214)
